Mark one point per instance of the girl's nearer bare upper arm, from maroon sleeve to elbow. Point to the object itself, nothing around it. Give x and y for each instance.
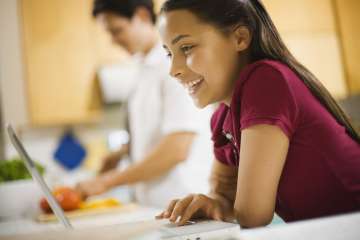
(262, 157)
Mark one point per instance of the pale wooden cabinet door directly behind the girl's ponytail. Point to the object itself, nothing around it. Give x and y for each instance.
(309, 29)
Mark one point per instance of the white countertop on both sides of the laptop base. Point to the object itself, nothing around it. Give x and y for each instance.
(123, 226)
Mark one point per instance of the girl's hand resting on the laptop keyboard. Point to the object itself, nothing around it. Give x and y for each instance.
(193, 206)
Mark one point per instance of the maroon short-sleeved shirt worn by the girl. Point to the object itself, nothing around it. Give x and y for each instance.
(321, 175)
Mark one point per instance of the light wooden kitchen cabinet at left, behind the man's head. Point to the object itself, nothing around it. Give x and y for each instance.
(63, 47)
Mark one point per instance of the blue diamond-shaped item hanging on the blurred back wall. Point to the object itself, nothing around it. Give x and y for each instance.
(70, 153)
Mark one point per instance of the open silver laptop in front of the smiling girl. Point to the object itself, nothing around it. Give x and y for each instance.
(193, 230)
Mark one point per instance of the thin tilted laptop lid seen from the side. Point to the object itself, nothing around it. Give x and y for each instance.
(30, 165)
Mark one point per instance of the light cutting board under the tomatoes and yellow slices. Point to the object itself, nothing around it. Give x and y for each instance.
(79, 213)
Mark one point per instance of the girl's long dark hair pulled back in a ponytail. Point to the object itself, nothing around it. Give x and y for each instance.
(266, 42)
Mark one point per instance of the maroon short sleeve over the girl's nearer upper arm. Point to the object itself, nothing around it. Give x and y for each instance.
(267, 99)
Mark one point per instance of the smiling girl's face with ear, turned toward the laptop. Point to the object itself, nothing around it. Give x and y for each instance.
(205, 60)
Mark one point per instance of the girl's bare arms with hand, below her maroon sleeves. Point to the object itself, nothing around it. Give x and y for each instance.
(247, 193)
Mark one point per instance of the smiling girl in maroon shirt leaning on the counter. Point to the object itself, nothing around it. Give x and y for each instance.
(282, 144)
